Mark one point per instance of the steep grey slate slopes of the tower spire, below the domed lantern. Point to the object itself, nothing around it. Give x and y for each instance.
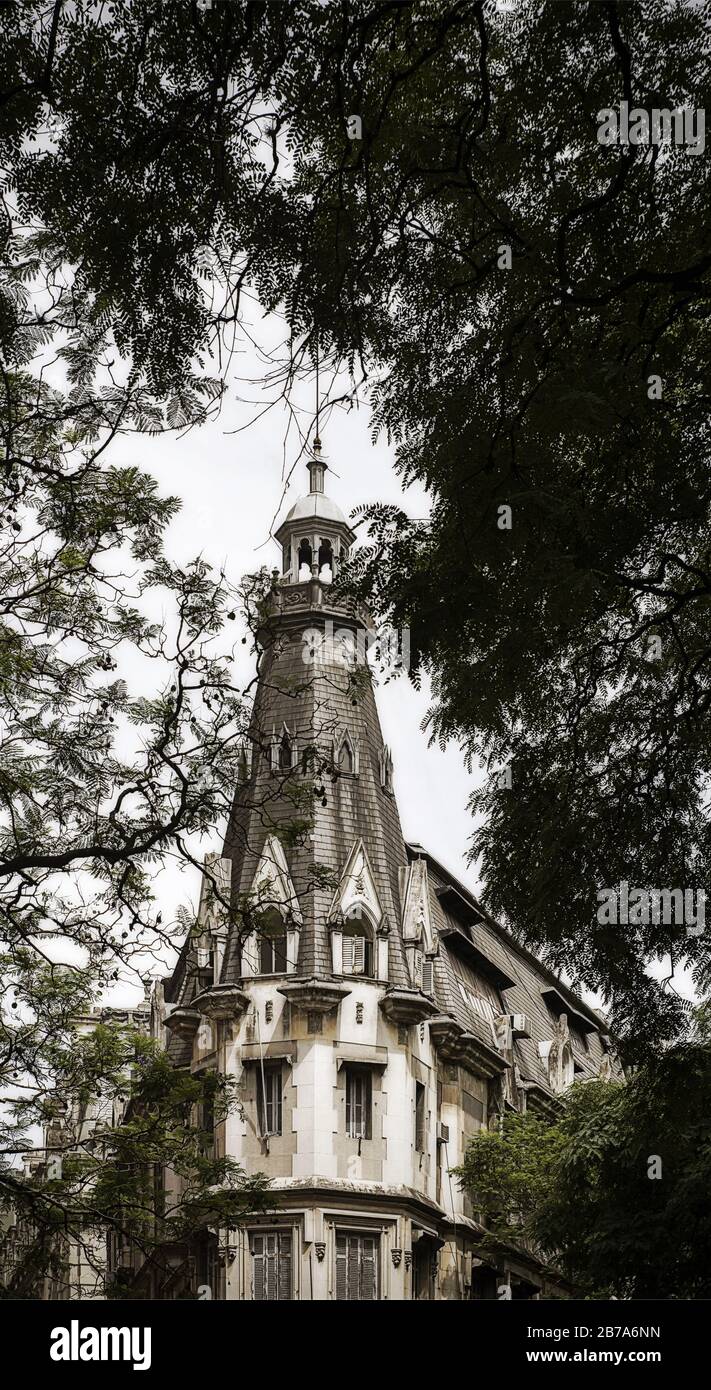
(317, 705)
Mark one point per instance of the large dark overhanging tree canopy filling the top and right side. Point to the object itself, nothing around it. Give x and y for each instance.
(527, 311)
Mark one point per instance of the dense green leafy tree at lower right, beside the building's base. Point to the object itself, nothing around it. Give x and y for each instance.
(616, 1192)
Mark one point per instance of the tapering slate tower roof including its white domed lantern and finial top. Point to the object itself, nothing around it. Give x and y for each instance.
(319, 754)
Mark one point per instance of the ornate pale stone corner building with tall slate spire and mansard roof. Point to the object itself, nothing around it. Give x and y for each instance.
(374, 1014)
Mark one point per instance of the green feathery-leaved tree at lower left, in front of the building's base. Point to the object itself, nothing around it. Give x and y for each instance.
(119, 1117)
